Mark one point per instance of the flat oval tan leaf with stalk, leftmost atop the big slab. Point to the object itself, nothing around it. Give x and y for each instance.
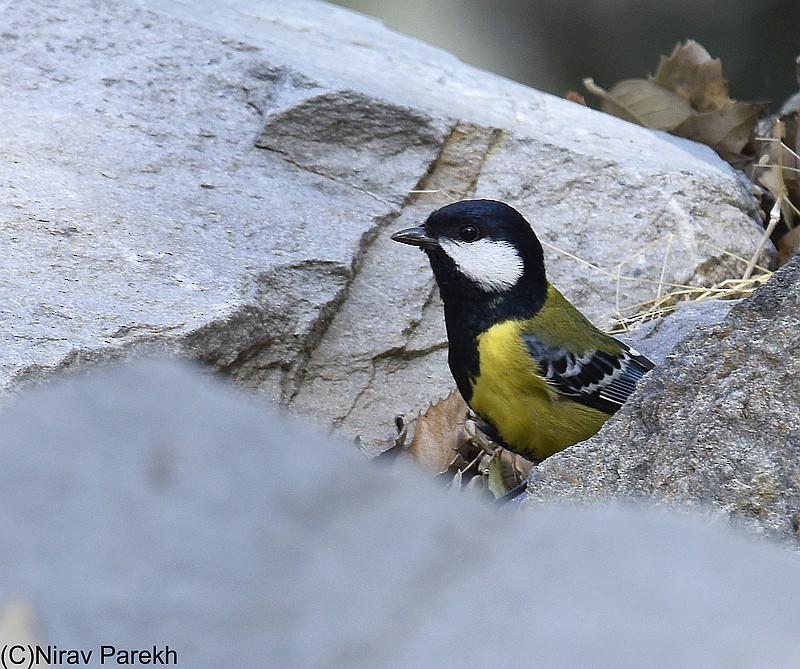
(643, 102)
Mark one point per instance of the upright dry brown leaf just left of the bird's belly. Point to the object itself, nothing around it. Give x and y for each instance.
(439, 433)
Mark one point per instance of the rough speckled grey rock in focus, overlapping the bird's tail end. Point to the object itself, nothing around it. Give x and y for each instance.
(718, 424)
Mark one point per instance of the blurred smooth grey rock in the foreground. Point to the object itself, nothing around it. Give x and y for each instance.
(151, 505)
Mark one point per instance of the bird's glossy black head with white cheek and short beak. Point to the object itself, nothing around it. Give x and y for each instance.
(483, 253)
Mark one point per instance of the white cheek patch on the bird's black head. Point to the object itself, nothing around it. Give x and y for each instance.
(493, 265)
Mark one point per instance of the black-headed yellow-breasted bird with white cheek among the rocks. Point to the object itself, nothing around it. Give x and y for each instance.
(524, 358)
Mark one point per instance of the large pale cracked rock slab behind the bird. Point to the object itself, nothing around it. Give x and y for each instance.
(221, 178)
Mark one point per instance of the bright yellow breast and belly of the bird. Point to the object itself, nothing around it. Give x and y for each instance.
(529, 415)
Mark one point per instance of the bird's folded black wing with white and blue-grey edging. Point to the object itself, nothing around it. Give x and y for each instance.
(596, 378)
